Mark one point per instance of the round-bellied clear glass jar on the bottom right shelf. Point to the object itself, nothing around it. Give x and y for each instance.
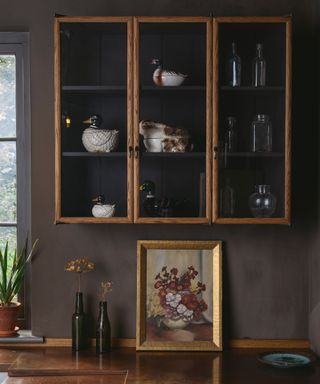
(262, 202)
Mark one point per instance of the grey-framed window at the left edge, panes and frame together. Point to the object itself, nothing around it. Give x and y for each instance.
(15, 148)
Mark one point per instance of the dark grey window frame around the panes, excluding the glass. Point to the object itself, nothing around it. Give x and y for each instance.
(17, 43)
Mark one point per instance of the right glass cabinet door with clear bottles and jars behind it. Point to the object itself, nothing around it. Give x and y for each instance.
(252, 120)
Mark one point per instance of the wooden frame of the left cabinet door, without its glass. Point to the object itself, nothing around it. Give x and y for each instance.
(57, 119)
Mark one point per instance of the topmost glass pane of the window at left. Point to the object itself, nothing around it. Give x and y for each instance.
(7, 96)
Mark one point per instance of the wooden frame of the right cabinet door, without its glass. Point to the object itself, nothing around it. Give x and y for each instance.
(286, 219)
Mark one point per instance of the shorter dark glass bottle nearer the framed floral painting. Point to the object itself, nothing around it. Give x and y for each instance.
(103, 331)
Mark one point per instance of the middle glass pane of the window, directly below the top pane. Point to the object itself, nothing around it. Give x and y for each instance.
(8, 187)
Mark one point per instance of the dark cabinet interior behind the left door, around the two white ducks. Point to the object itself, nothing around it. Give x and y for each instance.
(93, 81)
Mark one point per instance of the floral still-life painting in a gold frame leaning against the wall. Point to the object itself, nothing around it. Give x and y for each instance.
(179, 295)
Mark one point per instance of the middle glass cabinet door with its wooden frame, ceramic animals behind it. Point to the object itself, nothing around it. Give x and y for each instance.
(172, 120)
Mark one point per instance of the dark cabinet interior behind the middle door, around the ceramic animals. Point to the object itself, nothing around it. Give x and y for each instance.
(179, 178)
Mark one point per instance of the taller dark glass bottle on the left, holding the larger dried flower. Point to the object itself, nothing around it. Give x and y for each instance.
(79, 341)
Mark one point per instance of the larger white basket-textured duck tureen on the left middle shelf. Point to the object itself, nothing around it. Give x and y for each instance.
(96, 139)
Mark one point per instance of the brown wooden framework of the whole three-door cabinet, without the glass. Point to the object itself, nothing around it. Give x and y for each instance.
(212, 120)
